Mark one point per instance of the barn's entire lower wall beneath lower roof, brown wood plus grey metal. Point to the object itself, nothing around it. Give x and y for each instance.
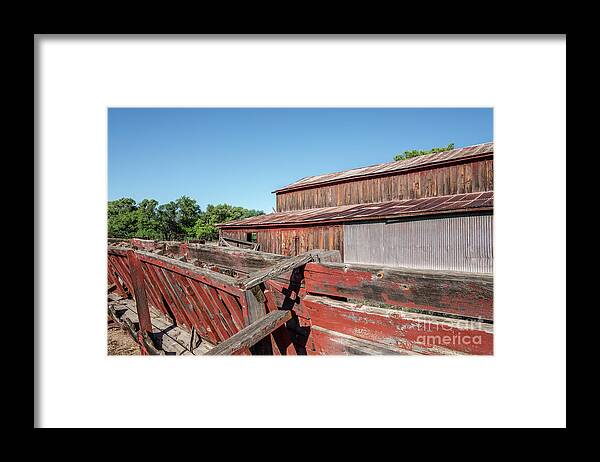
(455, 243)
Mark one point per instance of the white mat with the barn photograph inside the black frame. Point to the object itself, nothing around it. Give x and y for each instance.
(324, 203)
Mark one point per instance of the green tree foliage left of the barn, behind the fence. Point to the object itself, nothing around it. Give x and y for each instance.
(178, 219)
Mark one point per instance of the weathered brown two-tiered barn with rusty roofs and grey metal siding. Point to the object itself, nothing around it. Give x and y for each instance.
(427, 212)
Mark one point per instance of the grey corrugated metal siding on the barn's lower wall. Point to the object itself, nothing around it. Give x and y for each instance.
(460, 243)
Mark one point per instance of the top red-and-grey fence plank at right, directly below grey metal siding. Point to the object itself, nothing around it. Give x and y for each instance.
(464, 294)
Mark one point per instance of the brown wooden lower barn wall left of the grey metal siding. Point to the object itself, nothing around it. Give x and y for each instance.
(293, 241)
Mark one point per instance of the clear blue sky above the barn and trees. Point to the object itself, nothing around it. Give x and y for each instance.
(238, 156)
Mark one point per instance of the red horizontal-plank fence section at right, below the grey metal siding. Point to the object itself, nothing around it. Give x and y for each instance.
(395, 311)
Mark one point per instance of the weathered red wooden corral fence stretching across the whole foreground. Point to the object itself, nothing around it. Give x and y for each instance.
(245, 301)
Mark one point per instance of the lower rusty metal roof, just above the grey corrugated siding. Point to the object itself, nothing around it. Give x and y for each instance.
(378, 210)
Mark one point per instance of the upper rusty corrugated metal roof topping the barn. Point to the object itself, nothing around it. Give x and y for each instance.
(390, 167)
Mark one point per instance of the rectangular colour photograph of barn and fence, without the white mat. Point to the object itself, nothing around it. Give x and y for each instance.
(300, 231)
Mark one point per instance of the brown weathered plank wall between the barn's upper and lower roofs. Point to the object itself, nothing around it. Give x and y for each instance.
(466, 177)
